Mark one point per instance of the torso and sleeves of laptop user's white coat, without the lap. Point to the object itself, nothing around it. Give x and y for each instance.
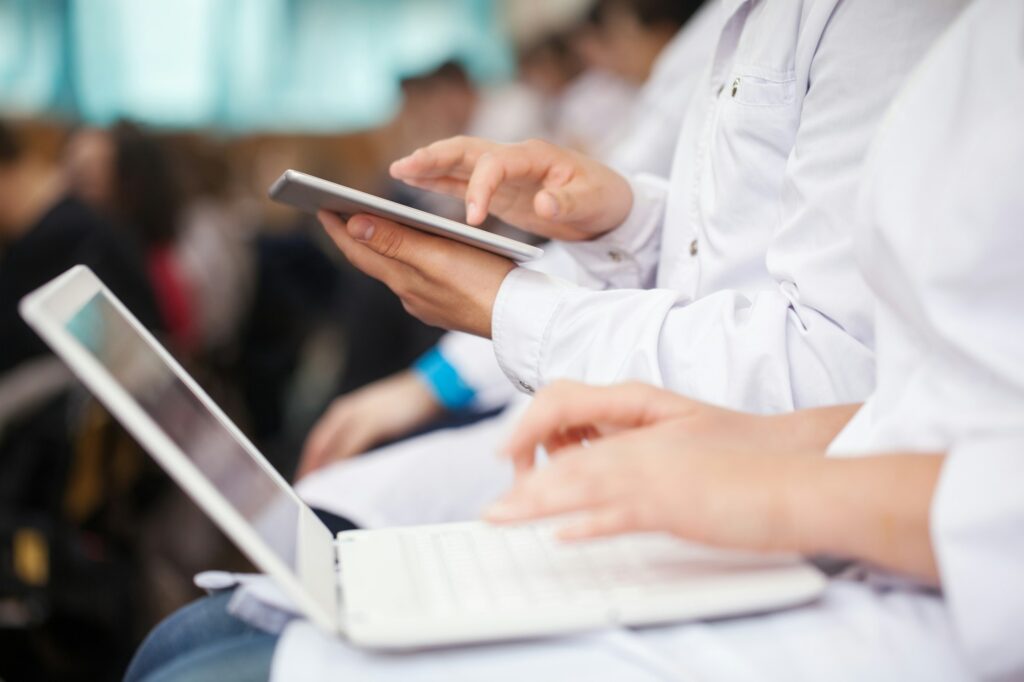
(946, 215)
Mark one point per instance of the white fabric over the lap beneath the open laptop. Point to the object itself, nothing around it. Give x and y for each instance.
(856, 632)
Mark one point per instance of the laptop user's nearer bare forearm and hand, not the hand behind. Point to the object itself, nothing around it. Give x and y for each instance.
(874, 509)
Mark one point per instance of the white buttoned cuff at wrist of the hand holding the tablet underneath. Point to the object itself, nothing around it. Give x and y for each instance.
(527, 305)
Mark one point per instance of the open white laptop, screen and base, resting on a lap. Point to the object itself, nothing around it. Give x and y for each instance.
(398, 588)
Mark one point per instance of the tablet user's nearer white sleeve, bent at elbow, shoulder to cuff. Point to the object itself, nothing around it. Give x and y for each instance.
(781, 349)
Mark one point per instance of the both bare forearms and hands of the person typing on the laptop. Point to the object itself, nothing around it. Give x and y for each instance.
(656, 461)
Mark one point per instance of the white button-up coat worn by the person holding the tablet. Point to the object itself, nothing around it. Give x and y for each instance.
(767, 163)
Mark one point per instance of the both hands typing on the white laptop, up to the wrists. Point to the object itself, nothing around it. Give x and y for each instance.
(656, 462)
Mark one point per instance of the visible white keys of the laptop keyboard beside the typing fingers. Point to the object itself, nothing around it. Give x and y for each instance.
(486, 568)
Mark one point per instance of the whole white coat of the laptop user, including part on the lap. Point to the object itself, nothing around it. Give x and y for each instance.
(942, 251)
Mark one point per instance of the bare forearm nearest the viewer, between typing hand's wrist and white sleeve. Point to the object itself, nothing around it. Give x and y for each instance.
(875, 509)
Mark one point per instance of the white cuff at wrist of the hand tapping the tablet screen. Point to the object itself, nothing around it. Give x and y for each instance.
(625, 258)
